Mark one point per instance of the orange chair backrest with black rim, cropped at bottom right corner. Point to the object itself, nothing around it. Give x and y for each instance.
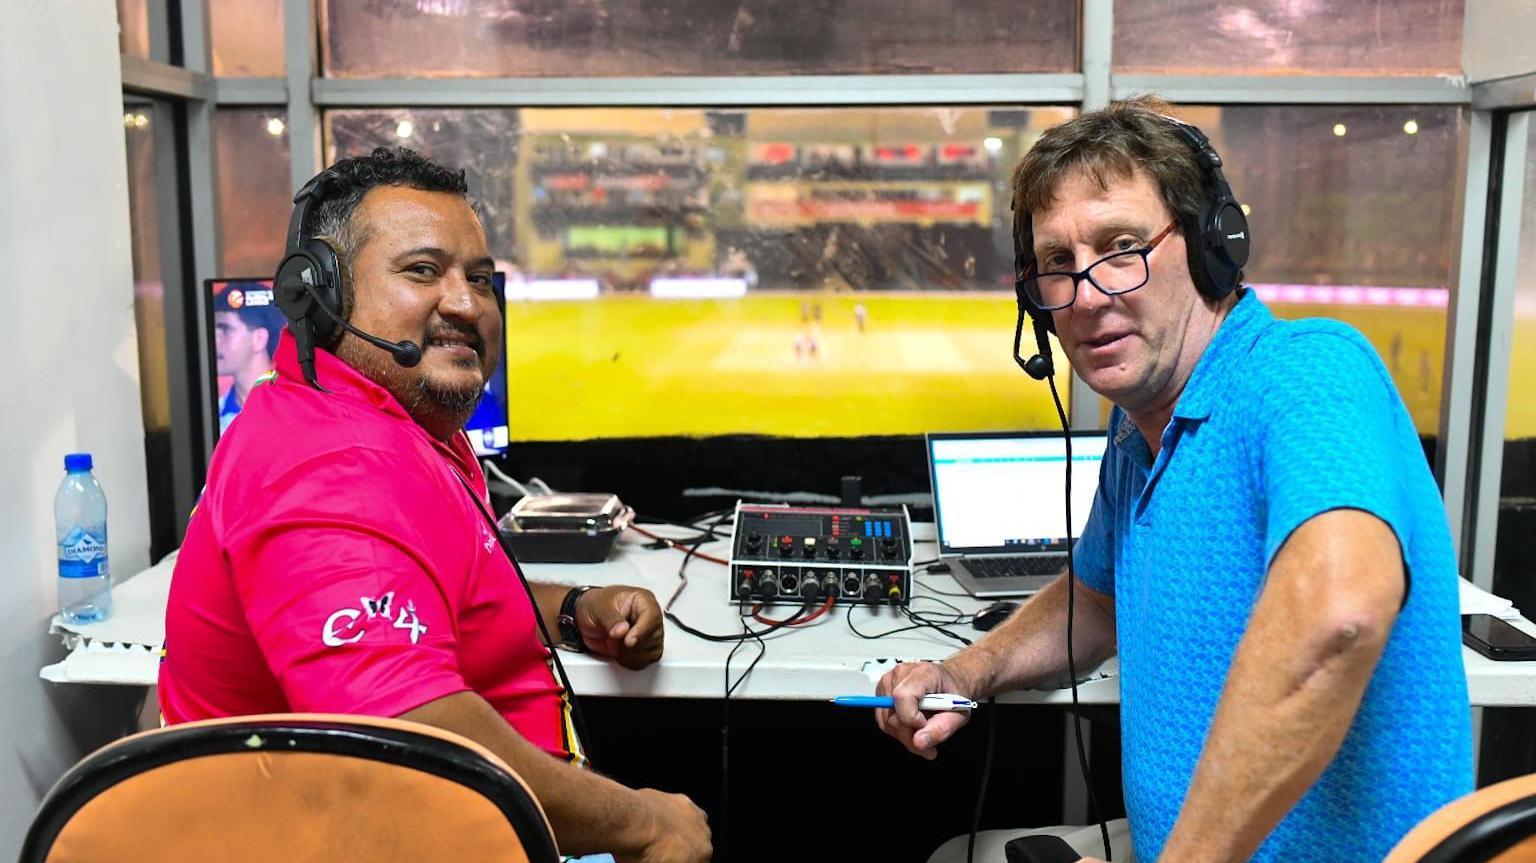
(1491, 825)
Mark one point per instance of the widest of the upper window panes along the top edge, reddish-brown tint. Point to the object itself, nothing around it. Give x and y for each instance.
(695, 38)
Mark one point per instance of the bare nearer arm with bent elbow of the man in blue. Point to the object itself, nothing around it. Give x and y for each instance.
(1296, 684)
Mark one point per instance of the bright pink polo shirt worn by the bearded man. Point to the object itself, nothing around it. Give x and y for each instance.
(336, 564)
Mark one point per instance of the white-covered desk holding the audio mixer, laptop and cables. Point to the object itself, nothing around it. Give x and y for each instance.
(818, 661)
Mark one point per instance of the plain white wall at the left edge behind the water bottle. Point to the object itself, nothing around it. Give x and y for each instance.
(68, 366)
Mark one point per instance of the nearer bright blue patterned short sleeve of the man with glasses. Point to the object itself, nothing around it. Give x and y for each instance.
(1332, 435)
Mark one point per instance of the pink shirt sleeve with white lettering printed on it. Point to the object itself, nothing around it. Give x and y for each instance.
(342, 590)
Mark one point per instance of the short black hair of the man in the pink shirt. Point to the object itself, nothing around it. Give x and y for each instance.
(354, 177)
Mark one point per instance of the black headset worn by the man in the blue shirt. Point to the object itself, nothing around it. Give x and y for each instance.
(1217, 242)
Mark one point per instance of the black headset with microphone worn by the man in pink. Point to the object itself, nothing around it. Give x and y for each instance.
(311, 282)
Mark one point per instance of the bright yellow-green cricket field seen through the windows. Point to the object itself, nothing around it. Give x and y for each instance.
(634, 366)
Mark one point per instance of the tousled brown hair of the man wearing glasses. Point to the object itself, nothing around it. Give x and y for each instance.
(1110, 145)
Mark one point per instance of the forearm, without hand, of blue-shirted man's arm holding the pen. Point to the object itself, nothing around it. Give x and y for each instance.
(1030, 649)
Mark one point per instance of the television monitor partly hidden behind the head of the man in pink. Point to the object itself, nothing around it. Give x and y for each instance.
(243, 331)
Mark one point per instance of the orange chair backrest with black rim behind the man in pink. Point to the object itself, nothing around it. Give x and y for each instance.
(291, 787)
